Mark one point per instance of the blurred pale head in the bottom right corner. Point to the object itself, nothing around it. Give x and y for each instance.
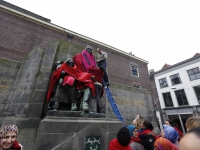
(191, 140)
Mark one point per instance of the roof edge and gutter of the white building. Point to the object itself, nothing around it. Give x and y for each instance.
(178, 64)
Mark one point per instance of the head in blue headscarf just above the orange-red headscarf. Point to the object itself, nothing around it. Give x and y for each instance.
(169, 133)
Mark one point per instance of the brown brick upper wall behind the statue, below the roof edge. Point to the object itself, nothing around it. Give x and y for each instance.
(19, 36)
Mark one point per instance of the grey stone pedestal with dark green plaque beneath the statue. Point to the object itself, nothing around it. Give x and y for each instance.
(61, 133)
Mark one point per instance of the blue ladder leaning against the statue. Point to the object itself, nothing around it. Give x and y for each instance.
(113, 104)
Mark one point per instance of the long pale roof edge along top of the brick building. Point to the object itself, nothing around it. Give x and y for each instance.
(12, 9)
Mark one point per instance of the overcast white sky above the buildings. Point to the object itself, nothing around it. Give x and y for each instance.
(159, 31)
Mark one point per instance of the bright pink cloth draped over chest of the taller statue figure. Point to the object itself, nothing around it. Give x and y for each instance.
(88, 60)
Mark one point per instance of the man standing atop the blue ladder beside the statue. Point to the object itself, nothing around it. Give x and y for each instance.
(101, 62)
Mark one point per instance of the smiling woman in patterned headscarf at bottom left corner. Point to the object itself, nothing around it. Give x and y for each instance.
(8, 138)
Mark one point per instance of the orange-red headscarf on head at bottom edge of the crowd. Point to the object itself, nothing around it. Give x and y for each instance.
(164, 144)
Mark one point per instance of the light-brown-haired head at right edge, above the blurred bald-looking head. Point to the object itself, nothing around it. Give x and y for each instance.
(192, 122)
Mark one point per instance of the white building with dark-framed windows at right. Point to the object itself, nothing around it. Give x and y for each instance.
(178, 88)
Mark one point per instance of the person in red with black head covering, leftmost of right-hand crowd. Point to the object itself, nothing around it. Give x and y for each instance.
(122, 141)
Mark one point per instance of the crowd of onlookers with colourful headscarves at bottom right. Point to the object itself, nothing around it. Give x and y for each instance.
(140, 136)
